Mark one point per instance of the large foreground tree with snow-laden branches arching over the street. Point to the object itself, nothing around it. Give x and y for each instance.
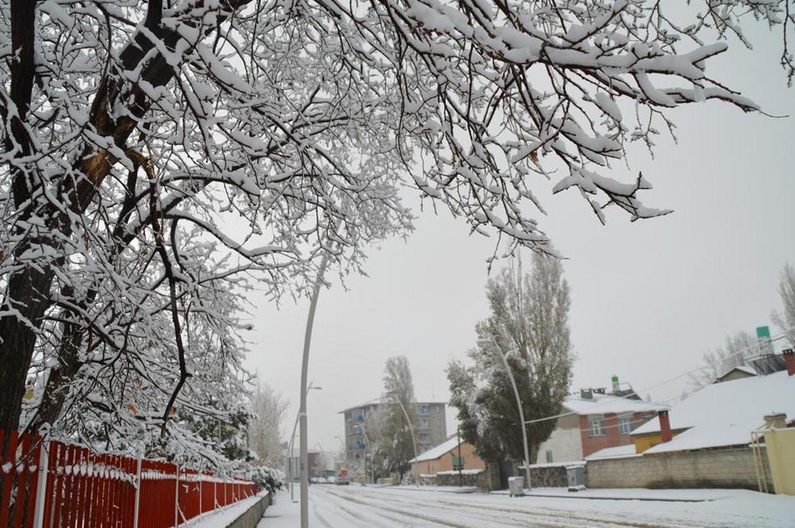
(159, 153)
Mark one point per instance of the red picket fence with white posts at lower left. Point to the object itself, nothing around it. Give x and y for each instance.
(55, 485)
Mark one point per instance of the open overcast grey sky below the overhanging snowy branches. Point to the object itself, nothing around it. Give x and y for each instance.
(648, 298)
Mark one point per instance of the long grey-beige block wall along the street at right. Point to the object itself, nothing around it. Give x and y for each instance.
(718, 468)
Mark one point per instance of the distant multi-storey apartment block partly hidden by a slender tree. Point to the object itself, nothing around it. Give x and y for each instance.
(431, 428)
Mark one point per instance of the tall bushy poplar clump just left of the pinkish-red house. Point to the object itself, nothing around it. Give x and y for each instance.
(529, 325)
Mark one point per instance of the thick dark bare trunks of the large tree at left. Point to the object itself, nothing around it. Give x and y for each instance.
(28, 291)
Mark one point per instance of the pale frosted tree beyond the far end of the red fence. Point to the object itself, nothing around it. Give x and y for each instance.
(268, 409)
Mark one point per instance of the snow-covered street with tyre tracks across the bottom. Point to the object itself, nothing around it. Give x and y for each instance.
(371, 507)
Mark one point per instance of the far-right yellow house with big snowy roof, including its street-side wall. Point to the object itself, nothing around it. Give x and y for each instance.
(731, 434)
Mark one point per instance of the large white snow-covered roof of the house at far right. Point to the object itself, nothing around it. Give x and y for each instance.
(724, 414)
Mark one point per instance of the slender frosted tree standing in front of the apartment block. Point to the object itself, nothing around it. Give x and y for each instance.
(396, 440)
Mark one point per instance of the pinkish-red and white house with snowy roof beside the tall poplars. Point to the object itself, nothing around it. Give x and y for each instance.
(595, 420)
